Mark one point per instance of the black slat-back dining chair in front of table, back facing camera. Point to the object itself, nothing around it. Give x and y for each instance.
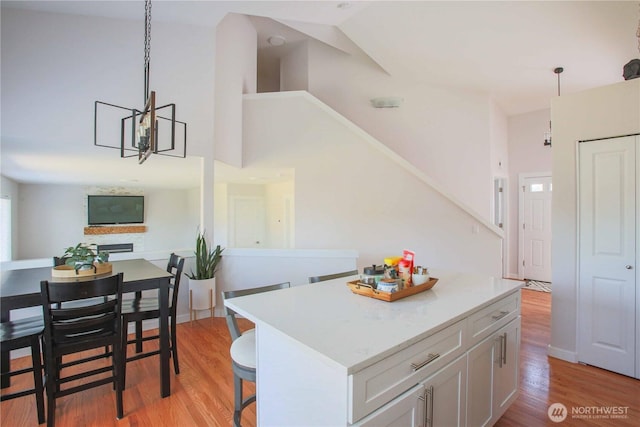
(74, 329)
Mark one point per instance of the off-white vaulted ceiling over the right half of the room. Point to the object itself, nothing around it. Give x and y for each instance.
(508, 49)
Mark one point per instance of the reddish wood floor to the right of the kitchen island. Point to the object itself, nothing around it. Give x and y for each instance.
(546, 380)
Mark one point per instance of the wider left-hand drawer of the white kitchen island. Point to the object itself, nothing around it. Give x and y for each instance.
(383, 381)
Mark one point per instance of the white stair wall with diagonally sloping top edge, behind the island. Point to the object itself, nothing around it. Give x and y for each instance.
(349, 195)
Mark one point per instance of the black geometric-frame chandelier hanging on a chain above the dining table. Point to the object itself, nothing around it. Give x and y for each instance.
(141, 132)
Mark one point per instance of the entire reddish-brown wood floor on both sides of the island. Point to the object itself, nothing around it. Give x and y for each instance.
(202, 395)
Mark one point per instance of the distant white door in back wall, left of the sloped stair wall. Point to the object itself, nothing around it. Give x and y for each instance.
(247, 222)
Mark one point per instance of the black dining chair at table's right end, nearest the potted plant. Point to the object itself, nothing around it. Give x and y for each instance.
(146, 308)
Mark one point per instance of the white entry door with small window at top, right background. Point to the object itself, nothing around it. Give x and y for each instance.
(536, 228)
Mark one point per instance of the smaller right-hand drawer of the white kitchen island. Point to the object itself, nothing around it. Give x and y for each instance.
(486, 321)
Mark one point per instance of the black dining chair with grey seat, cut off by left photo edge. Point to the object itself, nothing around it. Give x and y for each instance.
(25, 333)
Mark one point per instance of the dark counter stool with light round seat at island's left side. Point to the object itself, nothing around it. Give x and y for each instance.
(243, 349)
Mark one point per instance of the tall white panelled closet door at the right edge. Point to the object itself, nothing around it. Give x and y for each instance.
(607, 288)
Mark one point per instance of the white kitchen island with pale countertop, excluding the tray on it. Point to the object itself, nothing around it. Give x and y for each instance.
(329, 357)
